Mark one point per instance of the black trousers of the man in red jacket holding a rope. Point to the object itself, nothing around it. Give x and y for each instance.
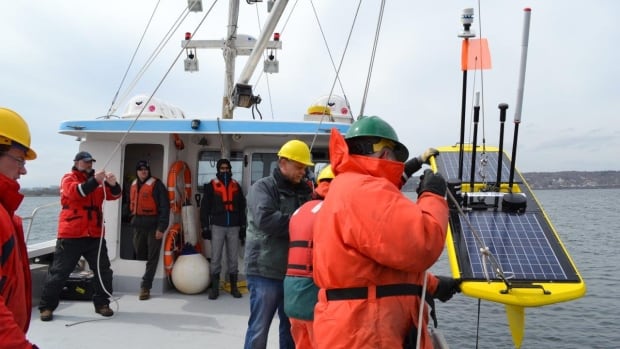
(66, 257)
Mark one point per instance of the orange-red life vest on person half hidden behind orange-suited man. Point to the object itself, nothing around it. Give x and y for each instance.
(300, 239)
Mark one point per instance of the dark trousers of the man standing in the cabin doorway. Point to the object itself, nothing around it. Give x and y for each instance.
(147, 249)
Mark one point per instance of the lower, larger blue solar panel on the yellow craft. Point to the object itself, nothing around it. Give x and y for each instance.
(523, 244)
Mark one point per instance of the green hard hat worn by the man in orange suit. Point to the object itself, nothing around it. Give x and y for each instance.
(374, 126)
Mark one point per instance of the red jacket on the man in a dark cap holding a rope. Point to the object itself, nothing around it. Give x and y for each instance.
(81, 199)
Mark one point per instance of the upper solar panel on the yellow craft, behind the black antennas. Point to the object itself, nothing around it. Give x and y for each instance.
(486, 166)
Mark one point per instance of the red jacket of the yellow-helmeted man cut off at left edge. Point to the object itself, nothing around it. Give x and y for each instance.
(15, 282)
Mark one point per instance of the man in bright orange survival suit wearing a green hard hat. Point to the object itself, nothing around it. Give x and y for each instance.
(372, 245)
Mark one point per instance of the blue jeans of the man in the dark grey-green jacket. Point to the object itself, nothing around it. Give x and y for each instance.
(266, 296)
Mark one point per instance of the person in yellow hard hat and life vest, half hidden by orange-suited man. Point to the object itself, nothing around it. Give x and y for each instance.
(300, 292)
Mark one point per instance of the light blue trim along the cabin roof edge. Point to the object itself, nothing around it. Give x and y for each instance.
(206, 126)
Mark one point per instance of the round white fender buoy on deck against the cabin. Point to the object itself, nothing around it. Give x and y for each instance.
(190, 274)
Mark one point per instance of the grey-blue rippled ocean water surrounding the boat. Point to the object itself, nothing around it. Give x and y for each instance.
(588, 224)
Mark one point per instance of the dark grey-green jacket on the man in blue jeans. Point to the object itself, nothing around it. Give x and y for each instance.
(271, 201)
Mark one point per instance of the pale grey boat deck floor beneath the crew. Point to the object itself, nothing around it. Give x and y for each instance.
(171, 320)
